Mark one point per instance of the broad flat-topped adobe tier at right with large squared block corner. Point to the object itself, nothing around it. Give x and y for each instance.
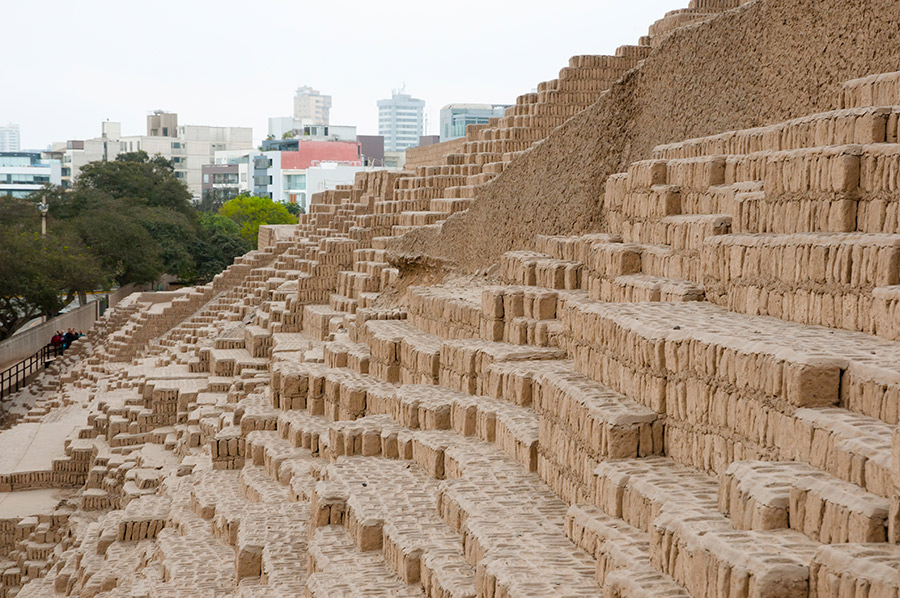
(799, 381)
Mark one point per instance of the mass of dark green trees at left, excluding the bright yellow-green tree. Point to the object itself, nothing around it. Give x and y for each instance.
(124, 221)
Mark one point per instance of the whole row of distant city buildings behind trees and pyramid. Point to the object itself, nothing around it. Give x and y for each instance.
(302, 154)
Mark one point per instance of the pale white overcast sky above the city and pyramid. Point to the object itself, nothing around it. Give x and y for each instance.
(70, 66)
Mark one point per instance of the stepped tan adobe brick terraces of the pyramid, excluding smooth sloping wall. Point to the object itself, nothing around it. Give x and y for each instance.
(698, 400)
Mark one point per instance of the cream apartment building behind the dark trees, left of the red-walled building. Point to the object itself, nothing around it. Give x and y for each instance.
(190, 147)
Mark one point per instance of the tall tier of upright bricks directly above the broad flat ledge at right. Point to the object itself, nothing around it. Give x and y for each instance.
(825, 279)
